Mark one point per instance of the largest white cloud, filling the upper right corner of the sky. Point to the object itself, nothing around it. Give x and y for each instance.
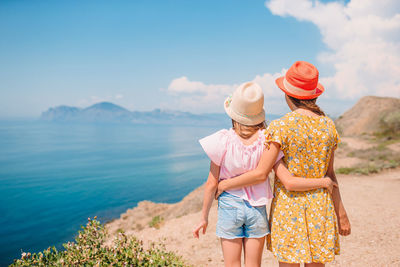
(364, 41)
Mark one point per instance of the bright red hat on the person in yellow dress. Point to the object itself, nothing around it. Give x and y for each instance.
(301, 81)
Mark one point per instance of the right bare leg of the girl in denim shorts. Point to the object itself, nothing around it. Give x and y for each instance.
(253, 249)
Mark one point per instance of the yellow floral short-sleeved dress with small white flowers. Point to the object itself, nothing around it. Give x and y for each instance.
(303, 224)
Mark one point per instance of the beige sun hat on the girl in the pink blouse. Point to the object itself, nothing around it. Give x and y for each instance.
(246, 105)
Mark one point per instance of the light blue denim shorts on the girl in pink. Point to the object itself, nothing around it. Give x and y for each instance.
(238, 219)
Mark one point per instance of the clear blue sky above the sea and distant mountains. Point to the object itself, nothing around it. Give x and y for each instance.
(129, 52)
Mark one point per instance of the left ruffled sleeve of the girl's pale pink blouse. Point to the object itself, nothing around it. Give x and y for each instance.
(215, 146)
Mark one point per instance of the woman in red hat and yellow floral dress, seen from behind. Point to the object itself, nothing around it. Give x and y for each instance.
(304, 225)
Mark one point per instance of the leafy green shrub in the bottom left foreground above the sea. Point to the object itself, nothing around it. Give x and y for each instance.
(88, 250)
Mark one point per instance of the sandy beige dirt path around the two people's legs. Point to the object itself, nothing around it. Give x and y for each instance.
(372, 203)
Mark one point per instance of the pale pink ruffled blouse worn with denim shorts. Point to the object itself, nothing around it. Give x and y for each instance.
(226, 150)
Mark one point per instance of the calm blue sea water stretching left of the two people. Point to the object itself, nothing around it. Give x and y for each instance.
(54, 176)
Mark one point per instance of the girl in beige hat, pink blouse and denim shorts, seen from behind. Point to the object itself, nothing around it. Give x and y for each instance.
(242, 218)
